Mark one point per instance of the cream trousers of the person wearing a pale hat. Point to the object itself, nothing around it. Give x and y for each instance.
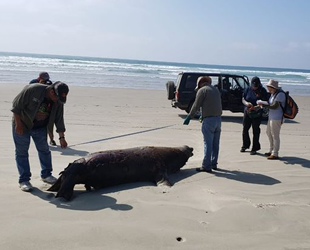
(273, 133)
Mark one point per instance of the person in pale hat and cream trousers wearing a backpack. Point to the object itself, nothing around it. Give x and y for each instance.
(275, 120)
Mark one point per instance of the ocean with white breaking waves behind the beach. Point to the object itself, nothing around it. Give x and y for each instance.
(104, 72)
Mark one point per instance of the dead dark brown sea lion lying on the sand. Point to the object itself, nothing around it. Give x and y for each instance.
(114, 167)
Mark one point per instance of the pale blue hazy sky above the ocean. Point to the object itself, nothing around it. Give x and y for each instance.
(260, 33)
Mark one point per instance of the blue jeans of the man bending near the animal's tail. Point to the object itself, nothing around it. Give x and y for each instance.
(22, 143)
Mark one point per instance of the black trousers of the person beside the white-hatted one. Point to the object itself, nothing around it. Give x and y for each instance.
(247, 123)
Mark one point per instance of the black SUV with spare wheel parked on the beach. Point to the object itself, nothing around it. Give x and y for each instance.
(182, 95)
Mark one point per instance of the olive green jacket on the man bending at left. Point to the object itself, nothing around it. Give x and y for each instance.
(27, 103)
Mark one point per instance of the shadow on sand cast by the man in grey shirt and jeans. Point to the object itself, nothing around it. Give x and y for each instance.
(241, 176)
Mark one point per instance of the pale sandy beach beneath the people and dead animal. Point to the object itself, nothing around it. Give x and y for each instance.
(250, 203)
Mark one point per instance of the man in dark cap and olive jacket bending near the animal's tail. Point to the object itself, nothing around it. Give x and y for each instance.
(36, 108)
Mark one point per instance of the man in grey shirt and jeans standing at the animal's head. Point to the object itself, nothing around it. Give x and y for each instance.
(208, 98)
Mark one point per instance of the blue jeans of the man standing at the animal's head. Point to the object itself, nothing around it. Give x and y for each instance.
(211, 130)
